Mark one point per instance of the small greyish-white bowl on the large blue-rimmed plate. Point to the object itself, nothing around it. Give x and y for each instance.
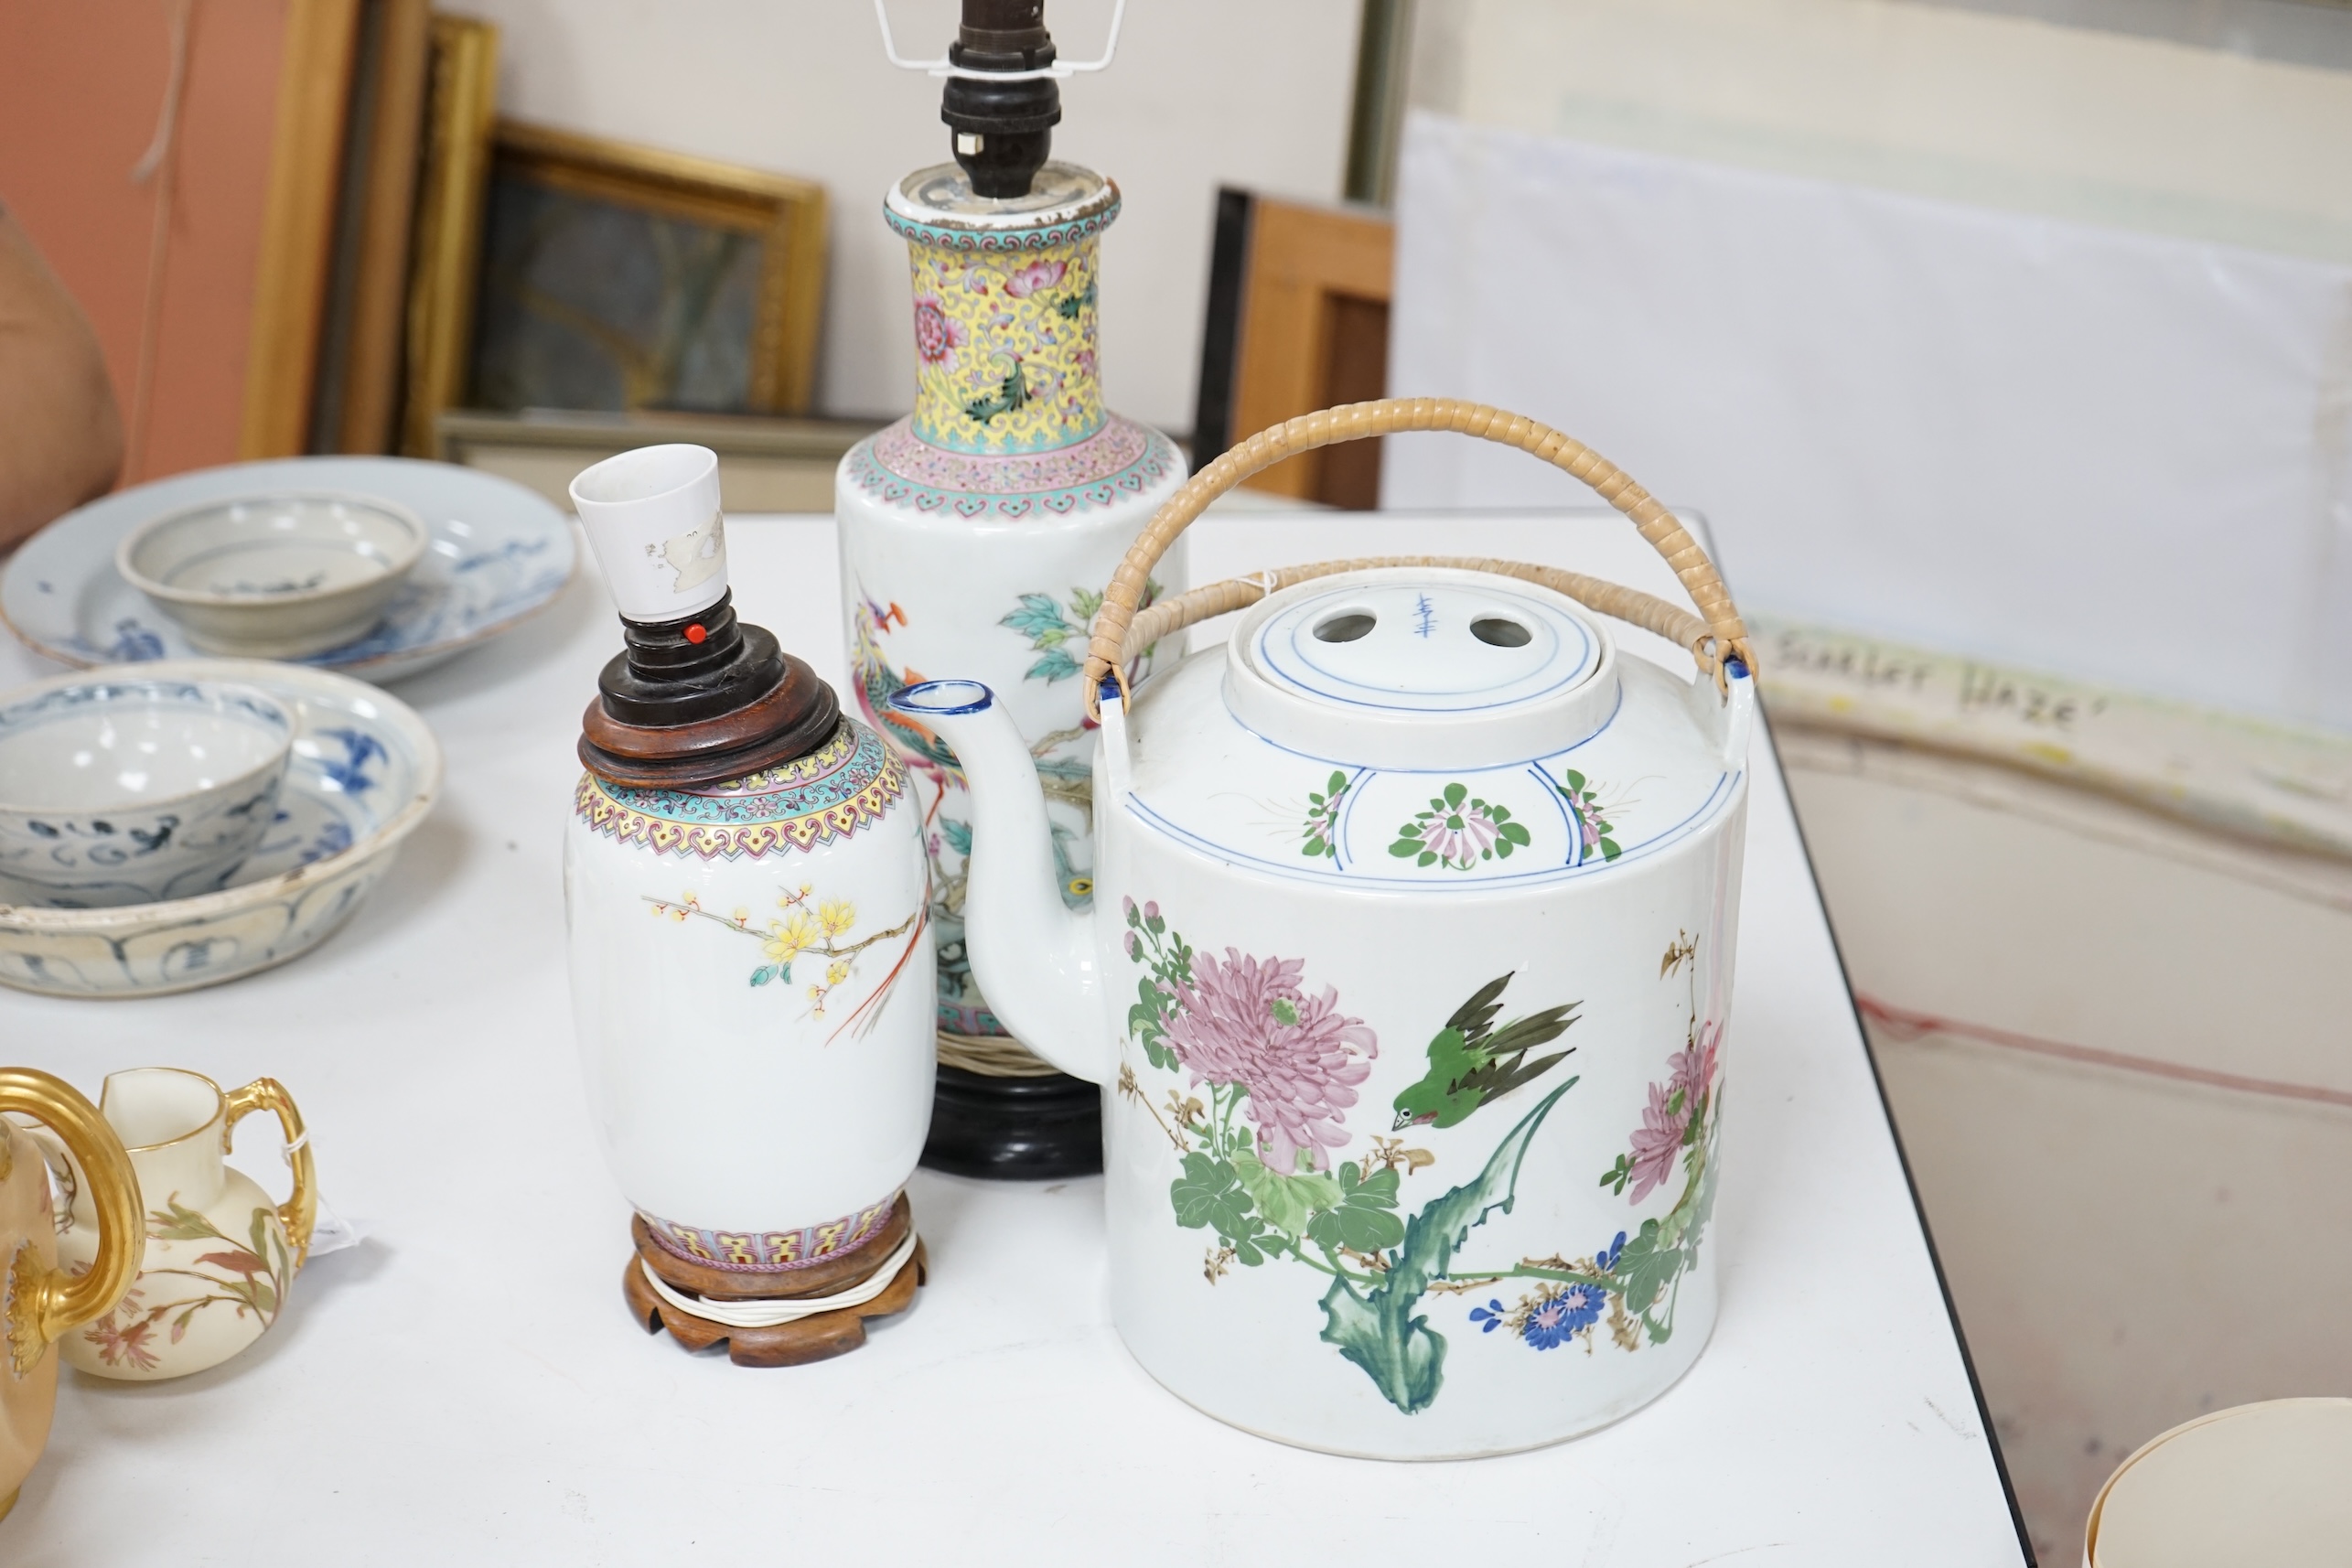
(276, 577)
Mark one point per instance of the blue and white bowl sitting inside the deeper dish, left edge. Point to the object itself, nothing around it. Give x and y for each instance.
(135, 789)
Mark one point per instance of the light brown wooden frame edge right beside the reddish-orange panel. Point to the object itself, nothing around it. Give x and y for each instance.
(298, 227)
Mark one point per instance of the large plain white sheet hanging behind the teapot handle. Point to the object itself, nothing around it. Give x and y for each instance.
(2071, 448)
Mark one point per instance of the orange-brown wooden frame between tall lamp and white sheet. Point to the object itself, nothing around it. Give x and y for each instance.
(1297, 323)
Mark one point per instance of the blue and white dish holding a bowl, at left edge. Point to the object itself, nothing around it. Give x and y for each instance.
(363, 777)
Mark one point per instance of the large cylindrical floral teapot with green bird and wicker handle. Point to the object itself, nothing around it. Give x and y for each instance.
(1405, 979)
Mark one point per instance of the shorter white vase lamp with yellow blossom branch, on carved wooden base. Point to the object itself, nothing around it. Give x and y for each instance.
(751, 965)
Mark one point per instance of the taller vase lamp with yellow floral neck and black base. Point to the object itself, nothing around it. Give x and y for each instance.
(980, 530)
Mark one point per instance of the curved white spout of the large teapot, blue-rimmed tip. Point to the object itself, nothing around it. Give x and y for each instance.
(1031, 956)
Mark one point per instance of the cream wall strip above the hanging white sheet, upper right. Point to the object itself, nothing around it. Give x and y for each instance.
(2000, 112)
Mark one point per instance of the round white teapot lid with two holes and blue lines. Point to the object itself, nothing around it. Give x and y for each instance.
(1398, 664)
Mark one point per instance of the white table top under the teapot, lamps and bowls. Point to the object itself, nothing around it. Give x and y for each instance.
(467, 1386)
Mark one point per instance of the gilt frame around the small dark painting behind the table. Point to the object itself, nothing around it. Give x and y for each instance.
(787, 217)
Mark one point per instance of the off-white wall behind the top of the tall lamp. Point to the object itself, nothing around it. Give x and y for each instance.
(1203, 93)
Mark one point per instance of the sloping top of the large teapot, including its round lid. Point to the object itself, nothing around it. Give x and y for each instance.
(1426, 730)
